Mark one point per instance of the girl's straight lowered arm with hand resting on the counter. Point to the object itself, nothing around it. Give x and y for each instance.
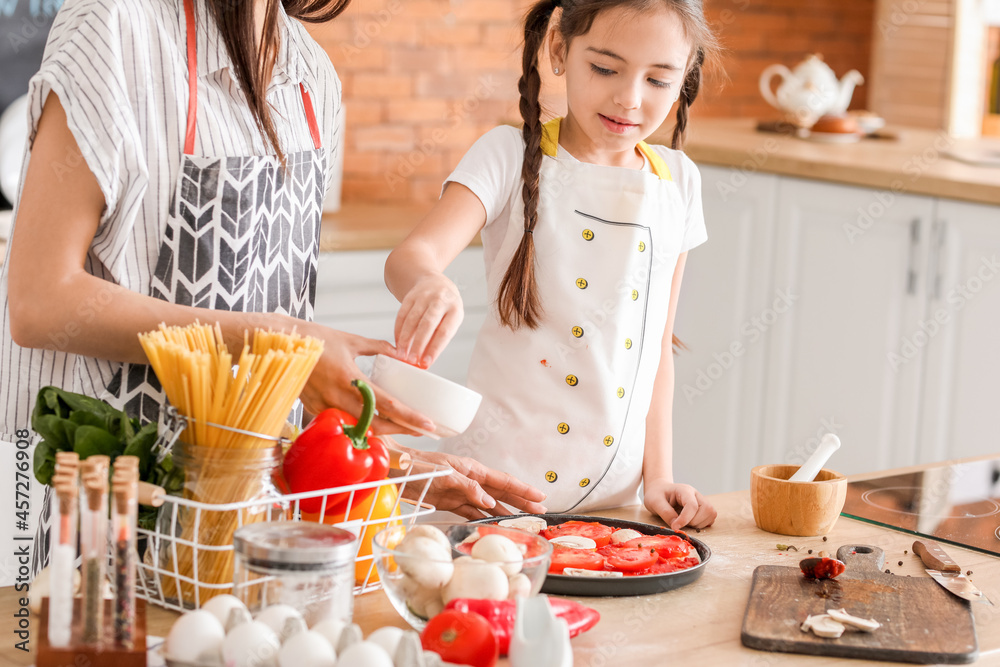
(661, 495)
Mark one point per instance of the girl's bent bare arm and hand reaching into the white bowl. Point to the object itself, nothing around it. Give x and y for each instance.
(430, 305)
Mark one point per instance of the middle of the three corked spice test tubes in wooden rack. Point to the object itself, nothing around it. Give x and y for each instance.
(93, 545)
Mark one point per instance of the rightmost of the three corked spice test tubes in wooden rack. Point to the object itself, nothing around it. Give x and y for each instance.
(124, 491)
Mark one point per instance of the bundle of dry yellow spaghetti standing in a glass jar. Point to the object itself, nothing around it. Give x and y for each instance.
(222, 466)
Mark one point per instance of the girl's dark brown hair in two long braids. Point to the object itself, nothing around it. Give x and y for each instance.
(518, 299)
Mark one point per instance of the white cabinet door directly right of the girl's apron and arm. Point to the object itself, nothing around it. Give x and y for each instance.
(718, 379)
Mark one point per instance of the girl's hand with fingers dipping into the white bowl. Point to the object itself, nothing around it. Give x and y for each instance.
(428, 318)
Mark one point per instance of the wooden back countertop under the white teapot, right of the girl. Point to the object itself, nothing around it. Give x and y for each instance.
(914, 163)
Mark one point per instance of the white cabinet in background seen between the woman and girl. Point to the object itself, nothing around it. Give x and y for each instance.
(351, 296)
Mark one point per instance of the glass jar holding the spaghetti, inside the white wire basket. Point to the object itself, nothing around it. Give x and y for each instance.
(223, 489)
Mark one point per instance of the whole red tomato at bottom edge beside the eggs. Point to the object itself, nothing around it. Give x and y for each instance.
(461, 637)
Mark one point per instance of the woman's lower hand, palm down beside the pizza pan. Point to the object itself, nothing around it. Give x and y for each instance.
(473, 490)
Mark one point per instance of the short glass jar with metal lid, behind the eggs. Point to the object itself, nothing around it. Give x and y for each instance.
(306, 565)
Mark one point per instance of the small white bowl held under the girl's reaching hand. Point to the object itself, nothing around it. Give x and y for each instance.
(449, 405)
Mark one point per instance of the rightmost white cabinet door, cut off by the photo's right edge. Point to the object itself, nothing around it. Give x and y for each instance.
(961, 334)
